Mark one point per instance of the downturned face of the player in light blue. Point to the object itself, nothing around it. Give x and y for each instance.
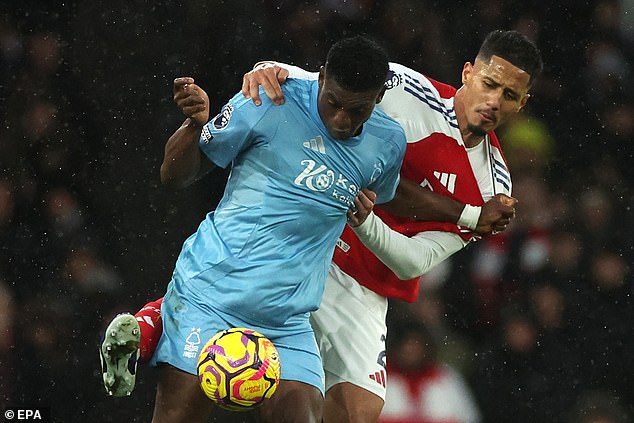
(344, 112)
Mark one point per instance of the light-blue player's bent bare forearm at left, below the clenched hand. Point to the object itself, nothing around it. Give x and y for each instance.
(182, 160)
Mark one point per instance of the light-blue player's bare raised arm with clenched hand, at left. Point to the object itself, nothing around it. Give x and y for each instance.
(183, 161)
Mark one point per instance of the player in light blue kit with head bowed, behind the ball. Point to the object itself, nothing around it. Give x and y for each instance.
(261, 259)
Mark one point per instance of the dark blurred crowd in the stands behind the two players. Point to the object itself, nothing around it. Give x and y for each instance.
(532, 325)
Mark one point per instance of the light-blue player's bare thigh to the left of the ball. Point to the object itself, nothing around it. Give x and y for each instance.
(179, 398)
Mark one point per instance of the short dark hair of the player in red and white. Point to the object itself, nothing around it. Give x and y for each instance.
(515, 48)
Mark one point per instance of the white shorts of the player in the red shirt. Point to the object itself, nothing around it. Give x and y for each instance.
(350, 330)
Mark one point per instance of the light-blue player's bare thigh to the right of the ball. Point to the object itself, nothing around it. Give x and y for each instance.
(293, 402)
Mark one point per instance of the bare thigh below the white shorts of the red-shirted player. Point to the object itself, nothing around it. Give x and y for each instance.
(348, 403)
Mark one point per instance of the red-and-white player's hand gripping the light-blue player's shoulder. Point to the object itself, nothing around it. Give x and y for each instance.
(270, 76)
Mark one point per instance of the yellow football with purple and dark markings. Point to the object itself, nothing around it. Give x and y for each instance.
(239, 368)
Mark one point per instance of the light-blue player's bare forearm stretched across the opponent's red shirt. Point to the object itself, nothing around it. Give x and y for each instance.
(415, 202)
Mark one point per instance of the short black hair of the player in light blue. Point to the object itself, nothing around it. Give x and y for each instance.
(357, 64)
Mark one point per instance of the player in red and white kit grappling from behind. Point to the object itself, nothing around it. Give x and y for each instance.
(453, 151)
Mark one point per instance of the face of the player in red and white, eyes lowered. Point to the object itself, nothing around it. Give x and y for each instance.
(491, 93)
